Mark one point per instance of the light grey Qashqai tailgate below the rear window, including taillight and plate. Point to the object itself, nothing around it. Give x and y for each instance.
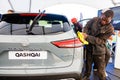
(37, 51)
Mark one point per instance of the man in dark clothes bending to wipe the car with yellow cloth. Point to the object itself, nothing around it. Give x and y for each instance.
(96, 32)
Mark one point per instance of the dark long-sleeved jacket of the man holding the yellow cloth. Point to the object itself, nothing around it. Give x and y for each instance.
(97, 36)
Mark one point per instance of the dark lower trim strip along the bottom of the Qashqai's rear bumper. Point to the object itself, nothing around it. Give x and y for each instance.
(43, 77)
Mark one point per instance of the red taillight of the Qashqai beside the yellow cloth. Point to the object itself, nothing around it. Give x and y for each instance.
(69, 43)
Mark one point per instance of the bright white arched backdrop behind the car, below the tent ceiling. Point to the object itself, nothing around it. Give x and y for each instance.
(73, 10)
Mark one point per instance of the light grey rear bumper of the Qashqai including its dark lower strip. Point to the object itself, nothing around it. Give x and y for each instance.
(72, 71)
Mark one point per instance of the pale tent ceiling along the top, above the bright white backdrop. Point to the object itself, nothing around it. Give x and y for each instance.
(31, 5)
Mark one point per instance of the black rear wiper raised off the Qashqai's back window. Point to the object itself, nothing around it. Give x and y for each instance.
(38, 17)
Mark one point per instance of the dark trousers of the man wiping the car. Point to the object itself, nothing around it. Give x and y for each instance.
(99, 61)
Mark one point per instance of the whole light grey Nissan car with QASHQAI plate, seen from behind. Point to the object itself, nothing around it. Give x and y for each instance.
(39, 46)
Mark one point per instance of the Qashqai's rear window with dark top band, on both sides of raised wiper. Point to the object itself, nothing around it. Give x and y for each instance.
(19, 24)
